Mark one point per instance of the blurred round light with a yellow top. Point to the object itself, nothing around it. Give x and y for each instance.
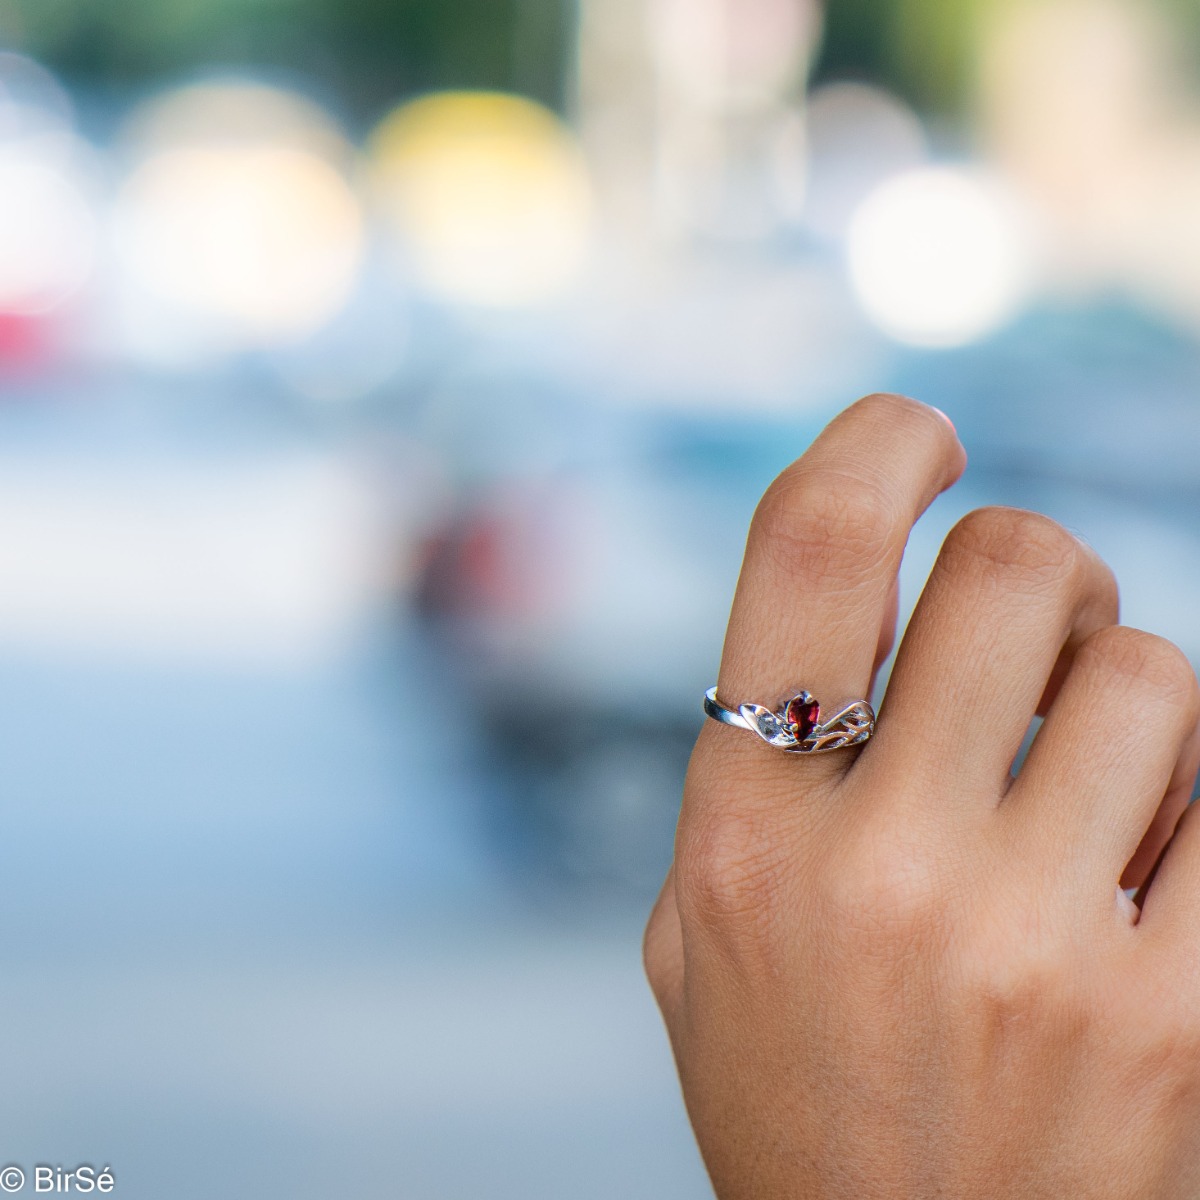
(488, 196)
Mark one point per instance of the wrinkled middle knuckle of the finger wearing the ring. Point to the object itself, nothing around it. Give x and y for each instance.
(825, 525)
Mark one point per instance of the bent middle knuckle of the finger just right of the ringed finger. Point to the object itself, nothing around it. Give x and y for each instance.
(1018, 547)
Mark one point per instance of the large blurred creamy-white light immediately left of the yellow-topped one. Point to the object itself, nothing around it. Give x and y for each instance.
(238, 215)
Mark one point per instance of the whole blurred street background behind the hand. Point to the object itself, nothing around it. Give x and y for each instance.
(385, 393)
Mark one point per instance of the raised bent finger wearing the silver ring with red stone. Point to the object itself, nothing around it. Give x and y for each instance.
(815, 602)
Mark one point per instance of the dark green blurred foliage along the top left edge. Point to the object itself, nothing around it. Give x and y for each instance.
(370, 51)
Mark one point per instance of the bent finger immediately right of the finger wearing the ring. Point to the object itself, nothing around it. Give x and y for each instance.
(1009, 602)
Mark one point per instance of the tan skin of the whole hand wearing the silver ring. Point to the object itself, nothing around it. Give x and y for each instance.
(897, 971)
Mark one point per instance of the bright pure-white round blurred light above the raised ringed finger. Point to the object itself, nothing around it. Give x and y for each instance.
(939, 256)
